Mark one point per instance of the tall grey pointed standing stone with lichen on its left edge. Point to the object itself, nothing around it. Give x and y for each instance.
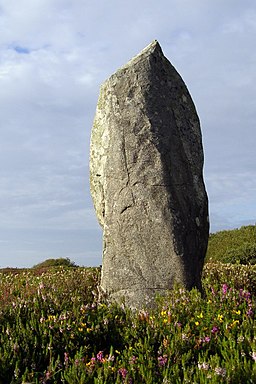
(146, 161)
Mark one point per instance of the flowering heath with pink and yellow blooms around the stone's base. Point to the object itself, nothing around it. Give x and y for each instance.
(54, 329)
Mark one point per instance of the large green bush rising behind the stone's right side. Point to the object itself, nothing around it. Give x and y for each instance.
(234, 246)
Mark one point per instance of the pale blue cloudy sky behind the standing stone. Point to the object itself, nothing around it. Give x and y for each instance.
(55, 54)
